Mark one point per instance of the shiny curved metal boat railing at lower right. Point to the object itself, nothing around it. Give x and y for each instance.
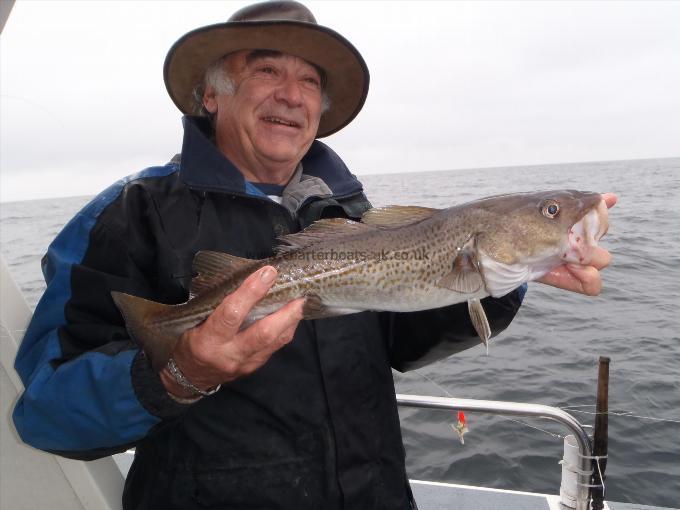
(583, 470)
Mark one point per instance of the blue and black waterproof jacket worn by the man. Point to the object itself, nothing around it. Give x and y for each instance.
(316, 427)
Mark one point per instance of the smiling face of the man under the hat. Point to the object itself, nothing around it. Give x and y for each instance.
(273, 115)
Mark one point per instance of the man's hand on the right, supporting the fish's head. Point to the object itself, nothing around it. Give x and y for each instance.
(583, 279)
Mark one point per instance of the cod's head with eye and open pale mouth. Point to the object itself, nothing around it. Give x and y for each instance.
(533, 233)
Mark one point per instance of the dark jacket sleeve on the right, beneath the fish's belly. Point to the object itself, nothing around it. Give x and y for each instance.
(419, 338)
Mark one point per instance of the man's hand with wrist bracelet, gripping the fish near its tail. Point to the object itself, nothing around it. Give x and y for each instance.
(217, 351)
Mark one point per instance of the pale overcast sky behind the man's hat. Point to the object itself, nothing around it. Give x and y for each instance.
(453, 85)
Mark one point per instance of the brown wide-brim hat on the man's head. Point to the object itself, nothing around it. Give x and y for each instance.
(284, 26)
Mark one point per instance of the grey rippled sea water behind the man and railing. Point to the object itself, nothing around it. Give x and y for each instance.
(549, 353)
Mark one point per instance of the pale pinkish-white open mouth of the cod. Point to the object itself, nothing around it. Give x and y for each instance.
(584, 235)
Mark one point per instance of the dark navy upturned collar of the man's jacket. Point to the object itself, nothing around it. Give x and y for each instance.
(204, 167)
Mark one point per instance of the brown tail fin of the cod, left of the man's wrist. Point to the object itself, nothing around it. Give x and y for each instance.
(156, 340)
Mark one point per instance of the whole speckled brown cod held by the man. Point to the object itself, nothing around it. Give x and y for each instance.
(397, 258)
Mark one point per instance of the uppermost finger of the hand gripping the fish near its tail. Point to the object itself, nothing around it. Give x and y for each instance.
(234, 309)
